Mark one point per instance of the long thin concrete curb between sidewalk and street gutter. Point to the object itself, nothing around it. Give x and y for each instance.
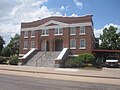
(58, 73)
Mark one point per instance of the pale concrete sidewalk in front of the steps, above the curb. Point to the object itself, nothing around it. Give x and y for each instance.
(113, 73)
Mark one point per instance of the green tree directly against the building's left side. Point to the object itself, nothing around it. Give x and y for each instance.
(14, 45)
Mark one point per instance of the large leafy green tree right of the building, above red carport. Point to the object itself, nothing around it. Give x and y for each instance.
(110, 39)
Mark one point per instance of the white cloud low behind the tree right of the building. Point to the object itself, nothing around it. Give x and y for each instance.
(97, 32)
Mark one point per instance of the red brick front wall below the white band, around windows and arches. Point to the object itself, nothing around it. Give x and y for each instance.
(65, 37)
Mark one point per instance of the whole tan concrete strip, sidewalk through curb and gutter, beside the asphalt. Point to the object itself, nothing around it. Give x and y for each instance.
(105, 76)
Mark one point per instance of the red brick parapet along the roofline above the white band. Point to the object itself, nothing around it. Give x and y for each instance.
(68, 20)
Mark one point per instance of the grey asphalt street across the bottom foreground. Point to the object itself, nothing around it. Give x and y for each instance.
(13, 82)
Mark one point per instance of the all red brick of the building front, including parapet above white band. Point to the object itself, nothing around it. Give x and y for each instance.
(65, 37)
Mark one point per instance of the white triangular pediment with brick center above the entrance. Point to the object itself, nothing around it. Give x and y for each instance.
(52, 23)
